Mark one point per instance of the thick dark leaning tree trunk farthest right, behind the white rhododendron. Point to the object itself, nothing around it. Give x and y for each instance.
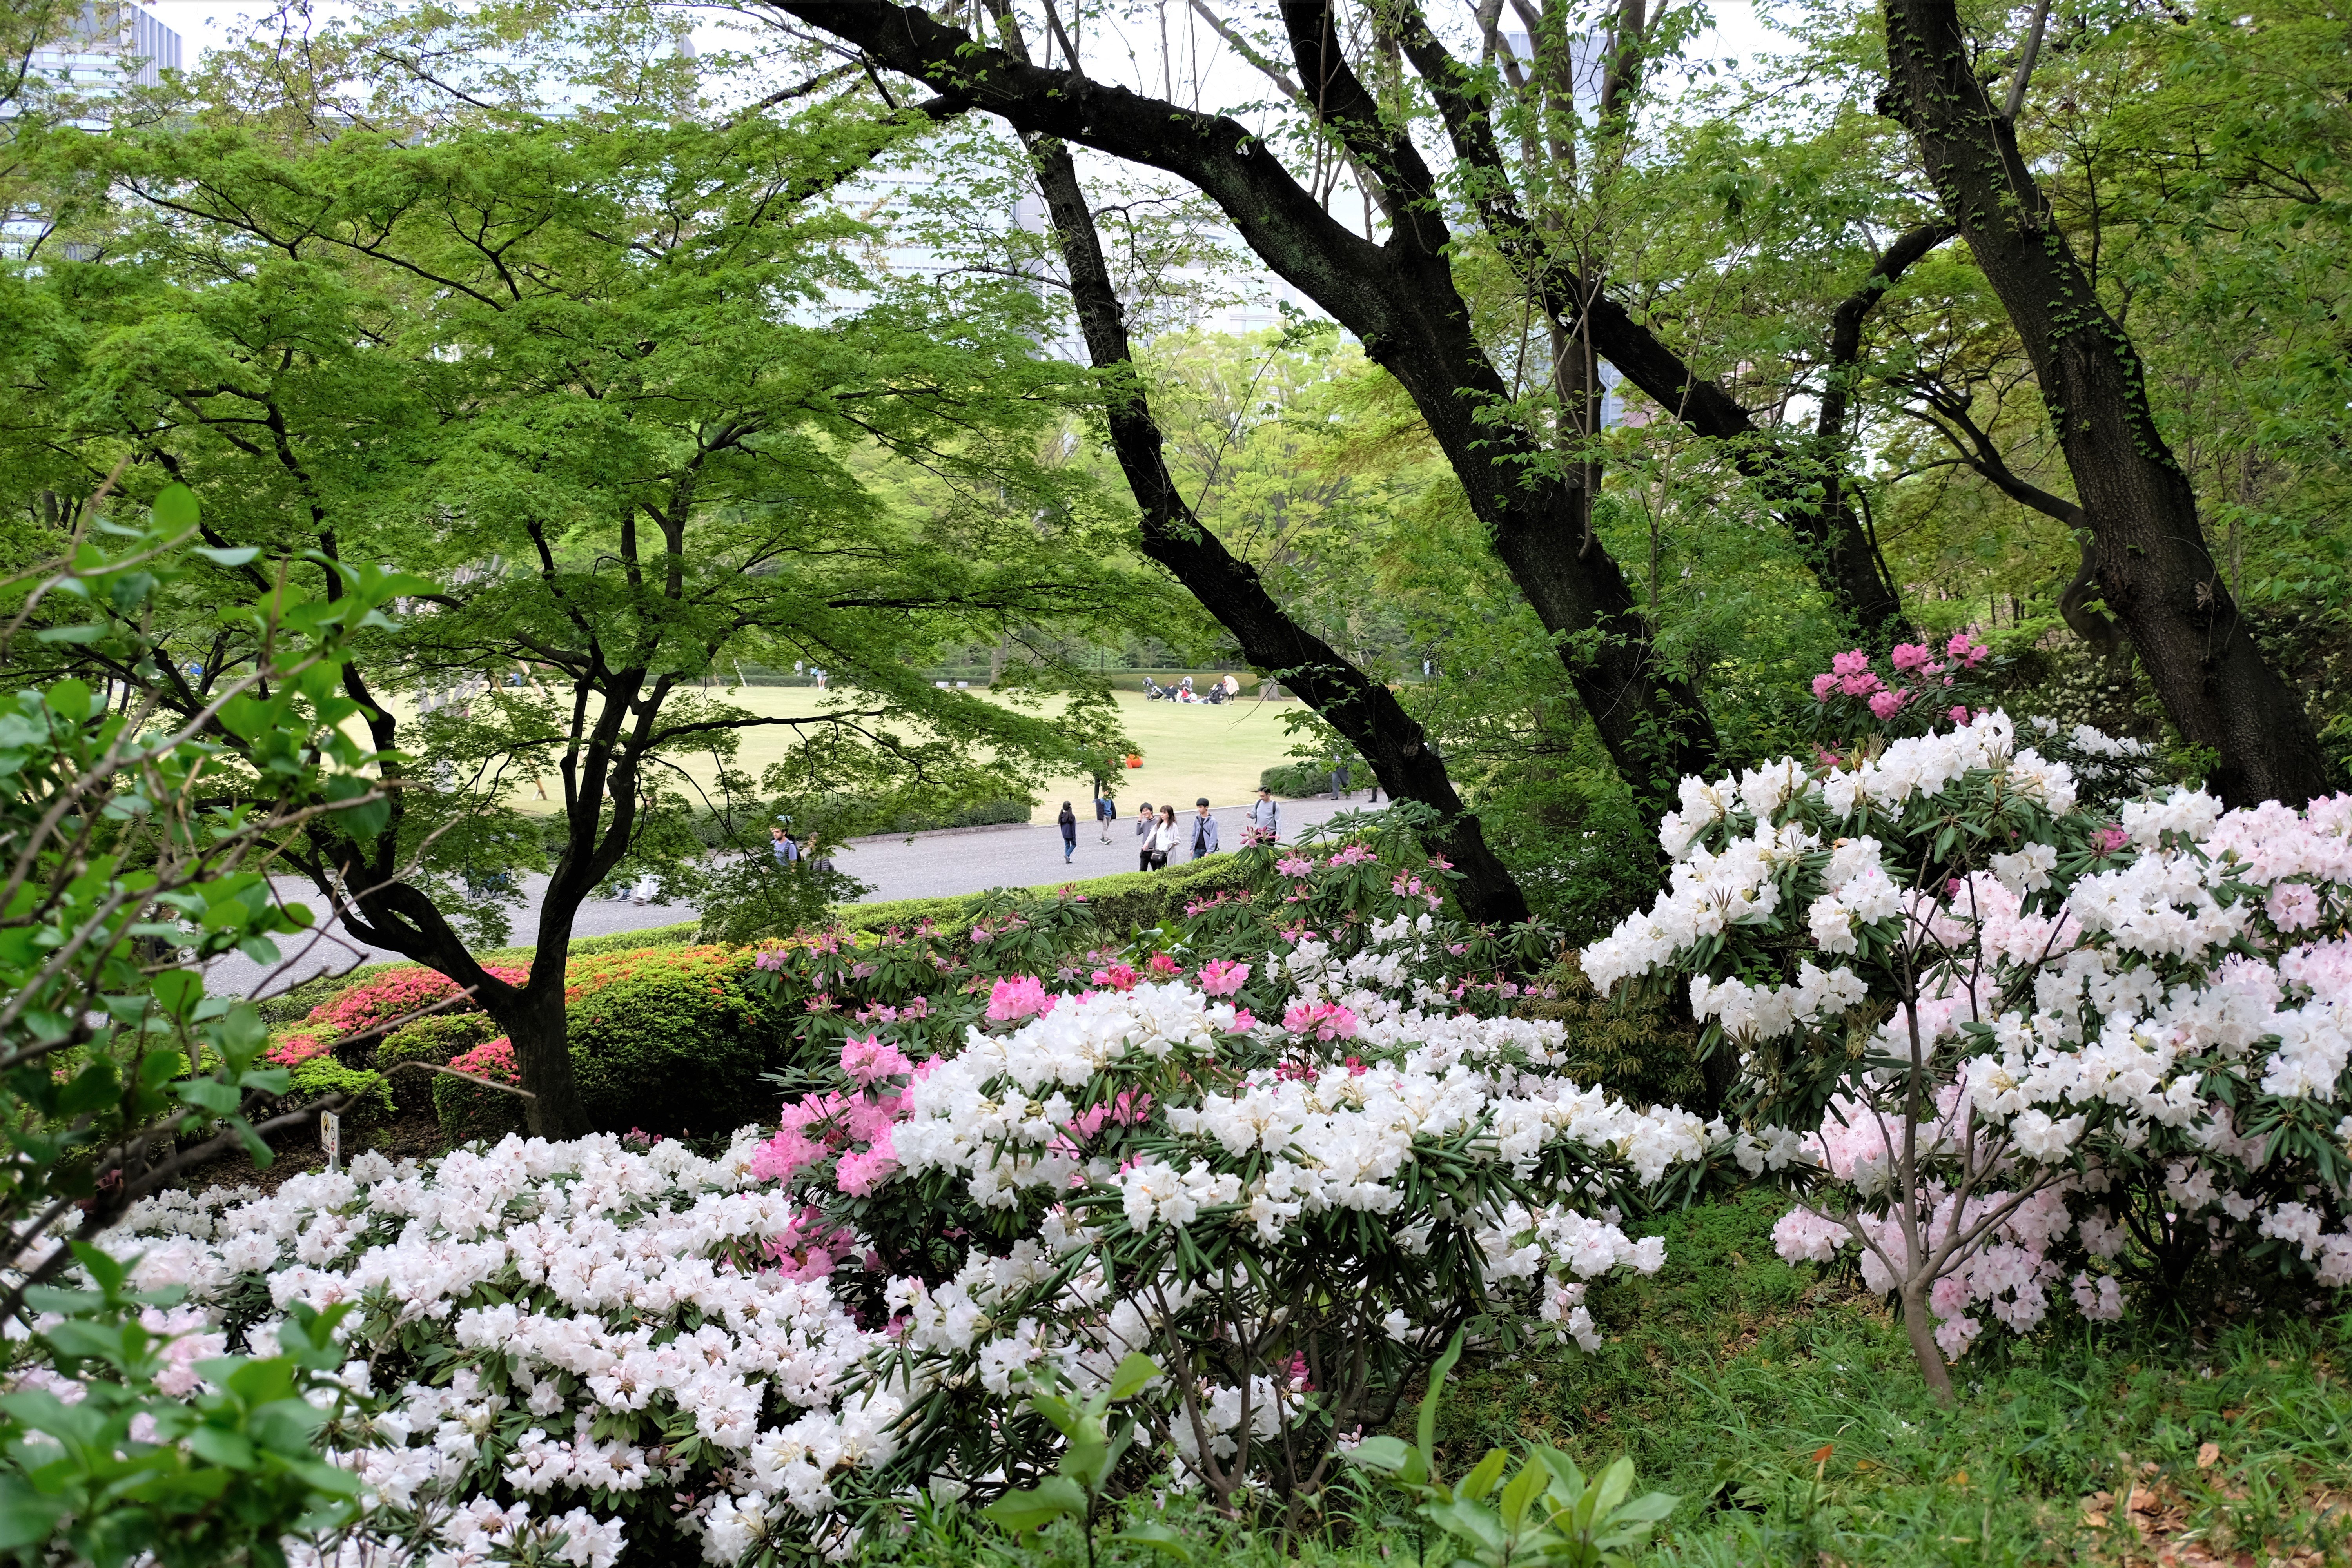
(2151, 554)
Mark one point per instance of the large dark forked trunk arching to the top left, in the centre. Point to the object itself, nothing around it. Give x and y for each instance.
(1398, 297)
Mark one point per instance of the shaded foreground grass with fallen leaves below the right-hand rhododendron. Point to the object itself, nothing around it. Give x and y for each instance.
(1786, 1414)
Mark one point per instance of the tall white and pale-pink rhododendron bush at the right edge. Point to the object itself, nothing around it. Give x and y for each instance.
(2019, 1054)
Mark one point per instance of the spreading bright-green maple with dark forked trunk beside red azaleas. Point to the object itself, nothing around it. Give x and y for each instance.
(596, 382)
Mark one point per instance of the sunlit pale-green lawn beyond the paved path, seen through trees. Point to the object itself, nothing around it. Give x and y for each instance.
(1189, 749)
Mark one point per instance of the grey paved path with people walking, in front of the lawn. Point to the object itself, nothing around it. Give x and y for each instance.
(930, 866)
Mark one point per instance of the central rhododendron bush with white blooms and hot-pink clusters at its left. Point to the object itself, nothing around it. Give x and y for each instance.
(1290, 1221)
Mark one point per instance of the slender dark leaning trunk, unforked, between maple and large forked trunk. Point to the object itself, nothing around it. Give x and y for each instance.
(1229, 589)
